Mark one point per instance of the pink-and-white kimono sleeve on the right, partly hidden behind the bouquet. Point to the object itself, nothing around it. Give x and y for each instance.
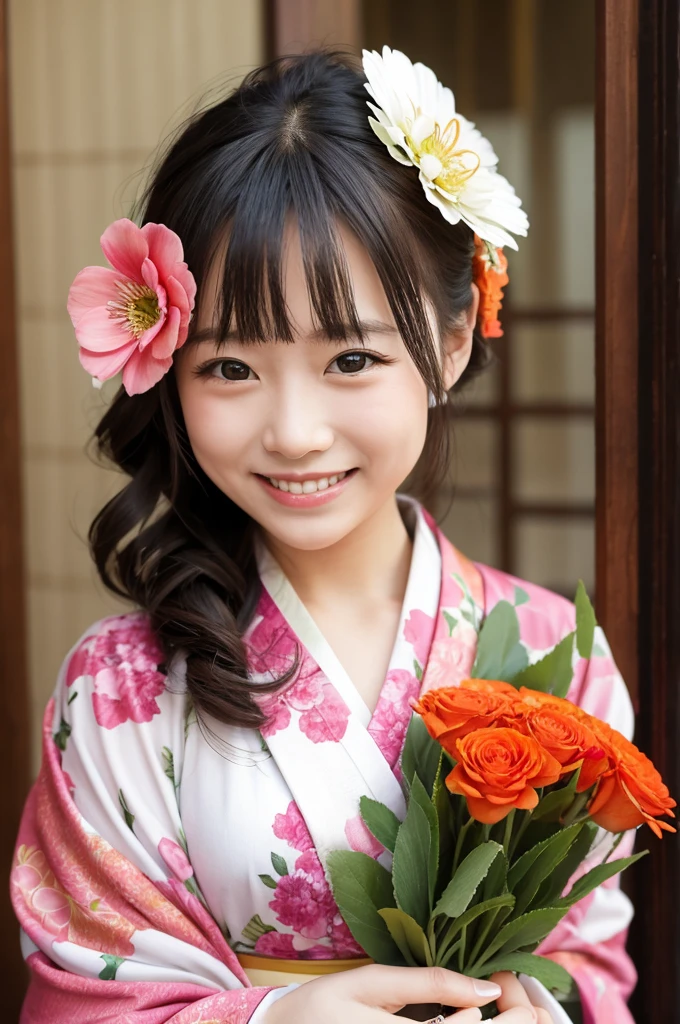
(590, 942)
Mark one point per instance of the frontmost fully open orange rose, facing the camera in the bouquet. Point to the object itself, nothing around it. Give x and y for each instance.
(499, 770)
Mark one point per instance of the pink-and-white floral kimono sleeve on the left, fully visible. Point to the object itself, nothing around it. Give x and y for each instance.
(114, 924)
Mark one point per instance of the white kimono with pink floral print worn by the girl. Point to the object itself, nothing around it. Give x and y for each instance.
(156, 849)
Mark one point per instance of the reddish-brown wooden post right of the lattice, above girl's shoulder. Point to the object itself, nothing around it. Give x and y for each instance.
(617, 332)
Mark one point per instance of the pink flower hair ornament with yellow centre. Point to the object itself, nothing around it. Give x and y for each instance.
(135, 315)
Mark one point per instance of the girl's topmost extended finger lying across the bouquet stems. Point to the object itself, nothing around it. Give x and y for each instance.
(394, 988)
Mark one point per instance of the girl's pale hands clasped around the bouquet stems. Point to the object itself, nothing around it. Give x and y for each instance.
(371, 995)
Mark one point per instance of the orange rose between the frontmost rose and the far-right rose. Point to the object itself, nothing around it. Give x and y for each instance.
(570, 741)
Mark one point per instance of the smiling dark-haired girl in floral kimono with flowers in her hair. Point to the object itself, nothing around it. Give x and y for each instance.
(204, 753)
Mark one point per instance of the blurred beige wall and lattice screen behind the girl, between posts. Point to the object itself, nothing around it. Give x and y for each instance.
(98, 84)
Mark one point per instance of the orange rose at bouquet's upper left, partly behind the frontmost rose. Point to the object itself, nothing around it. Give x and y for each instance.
(452, 712)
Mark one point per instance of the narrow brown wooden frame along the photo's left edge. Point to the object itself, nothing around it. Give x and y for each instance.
(15, 721)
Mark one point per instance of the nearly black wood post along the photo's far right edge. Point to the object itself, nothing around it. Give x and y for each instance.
(656, 937)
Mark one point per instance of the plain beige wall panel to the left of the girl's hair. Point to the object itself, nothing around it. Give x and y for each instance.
(96, 86)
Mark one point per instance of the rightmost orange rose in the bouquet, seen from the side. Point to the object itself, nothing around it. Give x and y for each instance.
(632, 792)
